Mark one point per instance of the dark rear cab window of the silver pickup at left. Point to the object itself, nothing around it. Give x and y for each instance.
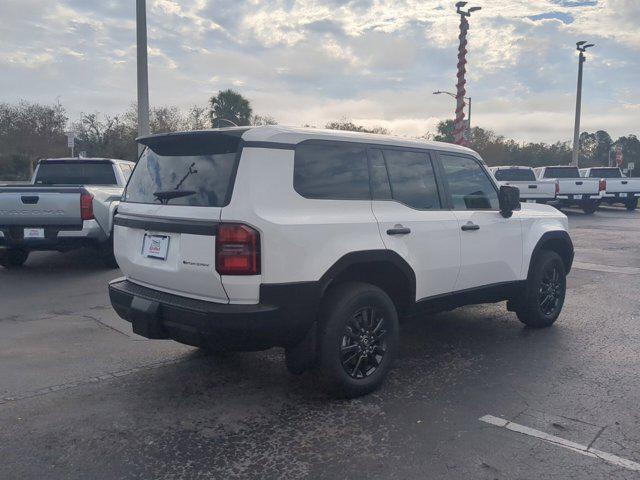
(75, 173)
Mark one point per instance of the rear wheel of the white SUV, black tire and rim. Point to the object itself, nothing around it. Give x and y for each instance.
(357, 339)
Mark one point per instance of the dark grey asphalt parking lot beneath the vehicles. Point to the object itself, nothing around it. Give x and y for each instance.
(82, 397)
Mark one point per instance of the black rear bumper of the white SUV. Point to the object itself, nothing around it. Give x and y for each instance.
(283, 317)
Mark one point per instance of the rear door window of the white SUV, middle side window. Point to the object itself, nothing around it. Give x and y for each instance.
(412, 179)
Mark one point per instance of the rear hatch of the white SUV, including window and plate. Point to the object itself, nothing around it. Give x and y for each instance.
(165, 234)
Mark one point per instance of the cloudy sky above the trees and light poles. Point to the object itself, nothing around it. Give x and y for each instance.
(375, 62)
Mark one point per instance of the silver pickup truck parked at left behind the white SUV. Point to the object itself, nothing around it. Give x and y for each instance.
(70, 203)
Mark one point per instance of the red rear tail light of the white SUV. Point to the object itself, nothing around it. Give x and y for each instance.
(237, 250)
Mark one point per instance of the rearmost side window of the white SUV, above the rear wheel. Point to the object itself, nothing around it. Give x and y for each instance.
(331, 171)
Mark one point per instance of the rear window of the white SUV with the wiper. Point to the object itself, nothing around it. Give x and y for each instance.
(185, 171)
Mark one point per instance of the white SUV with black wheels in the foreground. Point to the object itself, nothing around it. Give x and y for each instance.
(319, 241)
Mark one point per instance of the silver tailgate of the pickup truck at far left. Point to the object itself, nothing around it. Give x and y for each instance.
(40, 206)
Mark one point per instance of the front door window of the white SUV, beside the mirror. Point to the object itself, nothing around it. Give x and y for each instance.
(469, 185)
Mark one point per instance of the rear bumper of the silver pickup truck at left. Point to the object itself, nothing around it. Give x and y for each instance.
(56, 237)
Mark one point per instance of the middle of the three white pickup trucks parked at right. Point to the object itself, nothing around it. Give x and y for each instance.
(574, 189)
